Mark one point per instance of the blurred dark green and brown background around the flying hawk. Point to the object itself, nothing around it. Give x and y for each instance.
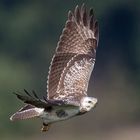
(29, 31)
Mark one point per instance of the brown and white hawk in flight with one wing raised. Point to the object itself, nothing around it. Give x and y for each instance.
(69, 73)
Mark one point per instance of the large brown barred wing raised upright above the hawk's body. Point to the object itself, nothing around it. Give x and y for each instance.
(74, 58)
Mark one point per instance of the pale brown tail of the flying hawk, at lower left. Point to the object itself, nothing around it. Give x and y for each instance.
(27, 112)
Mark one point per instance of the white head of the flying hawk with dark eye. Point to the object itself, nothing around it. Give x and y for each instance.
(87, 103)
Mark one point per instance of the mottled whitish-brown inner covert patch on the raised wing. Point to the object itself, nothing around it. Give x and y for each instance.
(74, 80)
